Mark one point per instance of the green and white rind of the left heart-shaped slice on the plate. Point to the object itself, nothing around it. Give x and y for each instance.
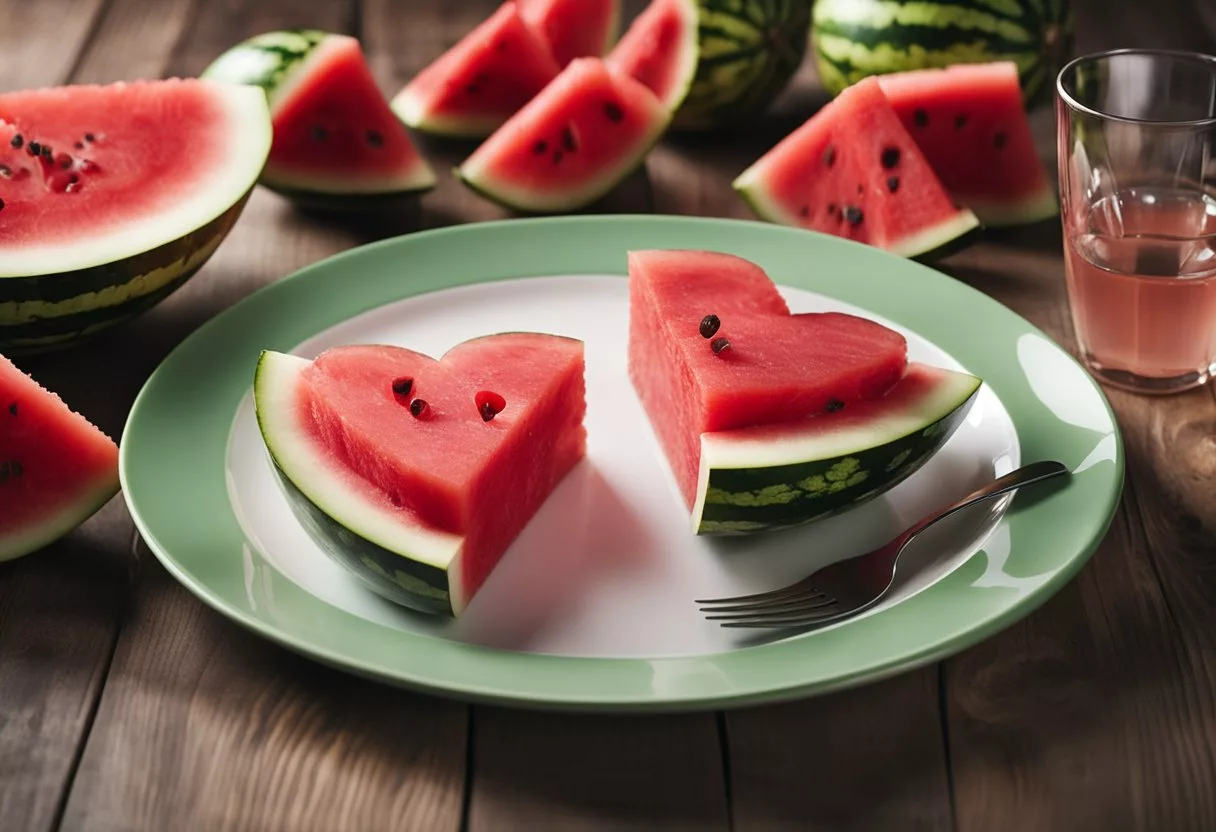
(415, 567)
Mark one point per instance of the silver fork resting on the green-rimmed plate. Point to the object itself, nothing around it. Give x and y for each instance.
(851, 587)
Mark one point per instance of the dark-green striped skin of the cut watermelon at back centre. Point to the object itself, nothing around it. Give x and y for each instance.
(748, 53)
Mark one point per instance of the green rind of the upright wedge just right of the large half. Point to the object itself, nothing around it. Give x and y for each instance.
(279, 63)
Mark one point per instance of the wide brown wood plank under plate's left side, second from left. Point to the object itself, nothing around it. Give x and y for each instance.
(202, 726)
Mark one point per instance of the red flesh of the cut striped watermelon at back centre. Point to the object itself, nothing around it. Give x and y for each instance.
(660, 49)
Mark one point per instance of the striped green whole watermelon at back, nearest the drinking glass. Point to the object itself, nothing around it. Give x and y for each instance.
(854, 40)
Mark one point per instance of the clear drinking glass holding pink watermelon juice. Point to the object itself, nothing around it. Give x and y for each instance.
(1136, 134)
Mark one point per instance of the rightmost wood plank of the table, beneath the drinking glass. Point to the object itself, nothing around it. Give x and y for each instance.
(1097, 711)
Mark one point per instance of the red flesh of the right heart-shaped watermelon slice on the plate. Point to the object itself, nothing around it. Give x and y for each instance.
(779, 367)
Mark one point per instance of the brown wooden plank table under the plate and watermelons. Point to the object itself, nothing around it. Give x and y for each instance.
(128, 705)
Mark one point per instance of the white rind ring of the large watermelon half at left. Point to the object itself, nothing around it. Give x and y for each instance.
(246, 122)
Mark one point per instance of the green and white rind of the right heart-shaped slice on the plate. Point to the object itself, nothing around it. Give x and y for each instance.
(747, 486)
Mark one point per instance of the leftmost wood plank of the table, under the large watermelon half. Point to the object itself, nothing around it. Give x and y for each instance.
(60, 609)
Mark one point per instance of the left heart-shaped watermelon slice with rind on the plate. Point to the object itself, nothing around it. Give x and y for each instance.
(416, 474)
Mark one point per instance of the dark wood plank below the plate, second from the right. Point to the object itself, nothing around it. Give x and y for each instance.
(866, 760)
